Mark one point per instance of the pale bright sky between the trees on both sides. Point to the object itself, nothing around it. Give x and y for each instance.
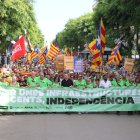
(52, 15)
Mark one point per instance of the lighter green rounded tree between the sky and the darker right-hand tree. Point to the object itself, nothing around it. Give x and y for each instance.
(77, 32)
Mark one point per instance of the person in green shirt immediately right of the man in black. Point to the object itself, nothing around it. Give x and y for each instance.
(80, 83)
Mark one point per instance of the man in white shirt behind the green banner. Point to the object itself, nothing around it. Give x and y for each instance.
(105, 83)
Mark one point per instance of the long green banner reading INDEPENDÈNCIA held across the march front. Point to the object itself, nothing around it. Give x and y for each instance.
(69, 99)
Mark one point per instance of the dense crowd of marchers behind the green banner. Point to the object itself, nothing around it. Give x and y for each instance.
(21, 74)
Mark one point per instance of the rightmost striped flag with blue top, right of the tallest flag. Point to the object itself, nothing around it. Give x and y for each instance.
(115, 56)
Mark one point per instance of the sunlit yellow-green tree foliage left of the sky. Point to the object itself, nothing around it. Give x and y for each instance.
(15, 17)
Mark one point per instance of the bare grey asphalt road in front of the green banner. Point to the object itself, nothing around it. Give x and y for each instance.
(70, 127)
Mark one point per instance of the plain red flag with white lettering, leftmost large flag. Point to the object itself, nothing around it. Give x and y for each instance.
(18, 49)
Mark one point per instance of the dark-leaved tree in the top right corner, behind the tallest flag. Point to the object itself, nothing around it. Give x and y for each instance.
(121, 18)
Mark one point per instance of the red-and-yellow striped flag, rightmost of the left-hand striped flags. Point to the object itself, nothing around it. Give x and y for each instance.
(53, 51)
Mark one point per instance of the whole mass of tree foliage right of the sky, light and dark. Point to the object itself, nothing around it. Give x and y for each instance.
(120, 17)
